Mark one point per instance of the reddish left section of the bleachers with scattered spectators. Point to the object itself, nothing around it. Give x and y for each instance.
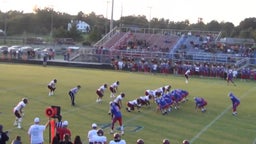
(142, 42)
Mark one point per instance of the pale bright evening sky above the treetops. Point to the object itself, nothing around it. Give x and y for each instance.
(233, 11)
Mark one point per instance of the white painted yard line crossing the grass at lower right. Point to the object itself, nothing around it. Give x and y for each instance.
(218, 117)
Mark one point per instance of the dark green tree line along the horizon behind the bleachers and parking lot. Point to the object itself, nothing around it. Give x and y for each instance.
(48, 22)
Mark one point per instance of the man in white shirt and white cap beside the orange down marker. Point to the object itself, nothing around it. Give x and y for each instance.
(36, 132)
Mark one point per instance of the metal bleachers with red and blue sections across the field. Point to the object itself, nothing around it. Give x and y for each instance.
(177, 41)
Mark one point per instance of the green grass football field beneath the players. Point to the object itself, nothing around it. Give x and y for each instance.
(216, 126)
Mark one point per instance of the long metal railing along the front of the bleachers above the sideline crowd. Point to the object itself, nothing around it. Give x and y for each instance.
(106, 55)
